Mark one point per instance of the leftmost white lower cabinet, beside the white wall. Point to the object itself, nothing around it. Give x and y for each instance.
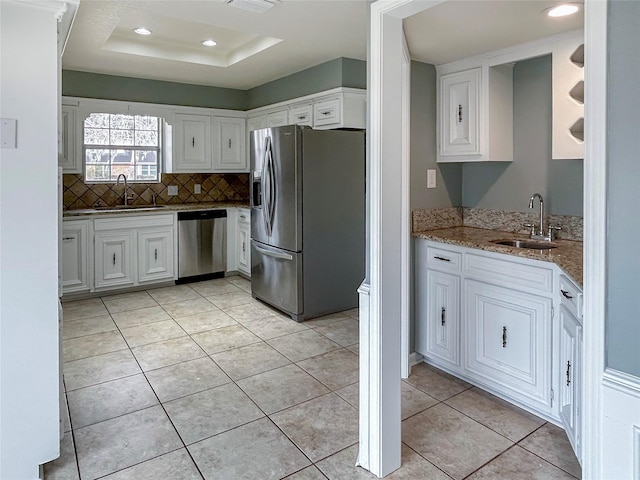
(76, 253)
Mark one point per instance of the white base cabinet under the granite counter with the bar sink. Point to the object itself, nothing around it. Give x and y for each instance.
(506, 324)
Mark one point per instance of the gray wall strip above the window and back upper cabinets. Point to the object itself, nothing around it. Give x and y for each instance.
(111, 87)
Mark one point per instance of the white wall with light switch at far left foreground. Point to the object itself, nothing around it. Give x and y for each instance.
(29, 392)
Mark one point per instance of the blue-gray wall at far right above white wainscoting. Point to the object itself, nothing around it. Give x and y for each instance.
(623, 178)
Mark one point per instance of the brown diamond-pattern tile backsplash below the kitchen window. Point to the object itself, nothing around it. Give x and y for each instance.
(215, 187)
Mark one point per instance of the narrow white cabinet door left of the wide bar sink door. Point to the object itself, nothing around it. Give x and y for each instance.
(438, 319)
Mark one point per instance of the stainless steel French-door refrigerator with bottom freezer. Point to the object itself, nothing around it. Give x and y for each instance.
(307, 219)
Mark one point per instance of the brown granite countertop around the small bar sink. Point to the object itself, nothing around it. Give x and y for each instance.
(567, 255)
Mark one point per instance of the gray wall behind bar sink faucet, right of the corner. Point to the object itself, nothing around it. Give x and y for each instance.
(508, 186)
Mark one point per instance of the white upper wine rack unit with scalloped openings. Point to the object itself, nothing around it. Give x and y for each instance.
(568, 98)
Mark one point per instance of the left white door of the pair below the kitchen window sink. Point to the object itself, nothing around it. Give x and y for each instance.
(113, 265)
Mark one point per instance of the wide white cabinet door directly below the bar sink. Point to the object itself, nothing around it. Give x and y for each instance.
(508, 339)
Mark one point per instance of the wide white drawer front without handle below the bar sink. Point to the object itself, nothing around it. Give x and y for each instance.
(510, 273)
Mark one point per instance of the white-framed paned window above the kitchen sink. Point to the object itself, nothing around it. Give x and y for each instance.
(117, 144)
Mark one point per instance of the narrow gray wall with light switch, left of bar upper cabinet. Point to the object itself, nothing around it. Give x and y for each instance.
(423, 146)
